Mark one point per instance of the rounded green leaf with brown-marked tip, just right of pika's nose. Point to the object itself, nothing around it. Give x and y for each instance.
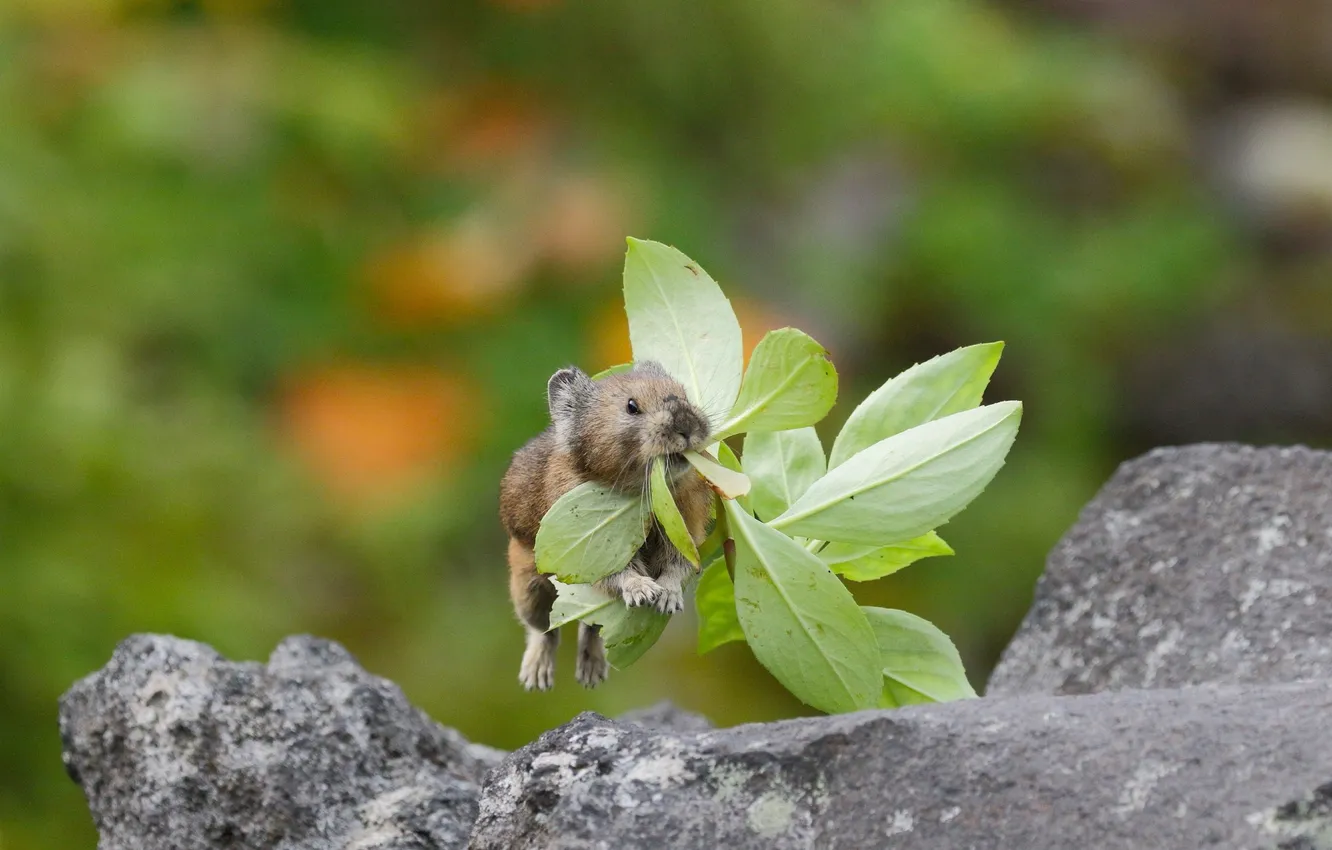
(791, 383)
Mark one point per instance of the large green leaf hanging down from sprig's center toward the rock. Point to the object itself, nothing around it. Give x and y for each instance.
(801, 622)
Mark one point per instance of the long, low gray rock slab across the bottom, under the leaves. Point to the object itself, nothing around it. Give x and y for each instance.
(1207, 767)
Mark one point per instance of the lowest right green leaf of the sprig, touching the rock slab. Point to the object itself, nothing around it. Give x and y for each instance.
(920, 661)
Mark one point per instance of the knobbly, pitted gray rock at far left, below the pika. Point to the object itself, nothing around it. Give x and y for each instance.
(178, 748)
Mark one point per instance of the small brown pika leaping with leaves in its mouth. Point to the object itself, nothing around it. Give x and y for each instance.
(608, 431)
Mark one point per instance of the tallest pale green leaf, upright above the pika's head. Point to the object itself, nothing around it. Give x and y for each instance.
(680, 318)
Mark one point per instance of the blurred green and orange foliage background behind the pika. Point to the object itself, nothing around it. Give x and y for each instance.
(282, 284)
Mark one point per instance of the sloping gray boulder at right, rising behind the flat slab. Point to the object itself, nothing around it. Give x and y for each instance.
(1193, 566)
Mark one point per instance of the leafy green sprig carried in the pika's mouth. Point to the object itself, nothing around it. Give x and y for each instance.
(789, 520)
